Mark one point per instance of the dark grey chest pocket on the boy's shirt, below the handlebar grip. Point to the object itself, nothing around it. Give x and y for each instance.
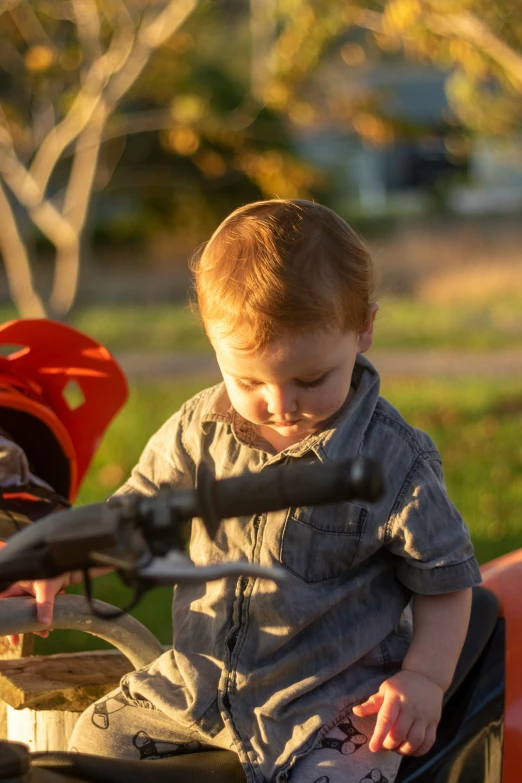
(321, 543)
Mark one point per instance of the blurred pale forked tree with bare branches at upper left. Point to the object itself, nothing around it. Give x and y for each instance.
(76, 59)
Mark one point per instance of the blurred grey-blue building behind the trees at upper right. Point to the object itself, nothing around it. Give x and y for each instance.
(429, 163)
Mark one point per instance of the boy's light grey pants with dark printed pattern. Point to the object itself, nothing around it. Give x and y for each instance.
(117, 728)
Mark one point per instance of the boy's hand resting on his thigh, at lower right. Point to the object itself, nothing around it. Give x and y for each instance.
(409, 707)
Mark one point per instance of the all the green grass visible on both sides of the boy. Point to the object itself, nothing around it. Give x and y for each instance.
(475, 424)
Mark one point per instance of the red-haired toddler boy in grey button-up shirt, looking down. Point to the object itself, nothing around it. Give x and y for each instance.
(322, 678)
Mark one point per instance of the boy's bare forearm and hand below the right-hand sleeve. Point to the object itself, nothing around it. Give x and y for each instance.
(409, 704)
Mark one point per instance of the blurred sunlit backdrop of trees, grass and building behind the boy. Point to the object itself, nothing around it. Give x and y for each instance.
(128, 130)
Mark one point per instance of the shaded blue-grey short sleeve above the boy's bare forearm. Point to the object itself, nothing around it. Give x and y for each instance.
(428, 535)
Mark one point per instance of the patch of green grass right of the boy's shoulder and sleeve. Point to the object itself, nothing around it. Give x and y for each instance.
(476, 426)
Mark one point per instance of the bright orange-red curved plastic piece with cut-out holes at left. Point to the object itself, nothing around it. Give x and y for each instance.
(59, 390)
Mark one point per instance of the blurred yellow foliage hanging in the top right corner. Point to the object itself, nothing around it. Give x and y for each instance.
(478, 42)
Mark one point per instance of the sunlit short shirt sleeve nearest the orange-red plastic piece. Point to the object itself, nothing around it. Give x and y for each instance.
(164, 460)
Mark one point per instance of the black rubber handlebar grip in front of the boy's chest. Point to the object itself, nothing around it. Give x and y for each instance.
(279, 487)
